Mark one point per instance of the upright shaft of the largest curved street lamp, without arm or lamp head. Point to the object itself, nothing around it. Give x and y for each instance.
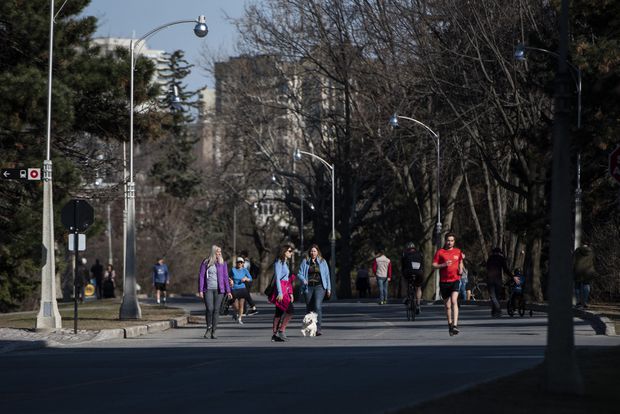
(130, 308)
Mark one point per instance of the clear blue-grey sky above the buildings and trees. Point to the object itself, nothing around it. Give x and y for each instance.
(122, 18)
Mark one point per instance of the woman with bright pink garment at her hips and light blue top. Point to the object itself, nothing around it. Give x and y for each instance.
(284, 298)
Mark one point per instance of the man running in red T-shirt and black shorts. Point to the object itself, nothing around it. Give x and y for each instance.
(449, 261)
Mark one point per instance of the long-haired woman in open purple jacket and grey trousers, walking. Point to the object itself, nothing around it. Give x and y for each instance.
(213, 284)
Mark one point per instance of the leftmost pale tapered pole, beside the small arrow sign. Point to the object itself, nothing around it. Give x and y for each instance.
(48, 317)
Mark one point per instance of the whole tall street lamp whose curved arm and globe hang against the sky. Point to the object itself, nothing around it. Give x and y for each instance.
(130, 309)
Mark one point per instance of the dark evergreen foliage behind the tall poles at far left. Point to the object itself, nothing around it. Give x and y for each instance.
(90, 99)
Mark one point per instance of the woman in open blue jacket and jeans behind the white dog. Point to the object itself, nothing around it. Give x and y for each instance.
(316, 284)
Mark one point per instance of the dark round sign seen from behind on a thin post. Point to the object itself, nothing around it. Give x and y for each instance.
(76, 216)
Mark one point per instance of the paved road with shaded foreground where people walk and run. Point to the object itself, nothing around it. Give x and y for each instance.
(369, 360)
